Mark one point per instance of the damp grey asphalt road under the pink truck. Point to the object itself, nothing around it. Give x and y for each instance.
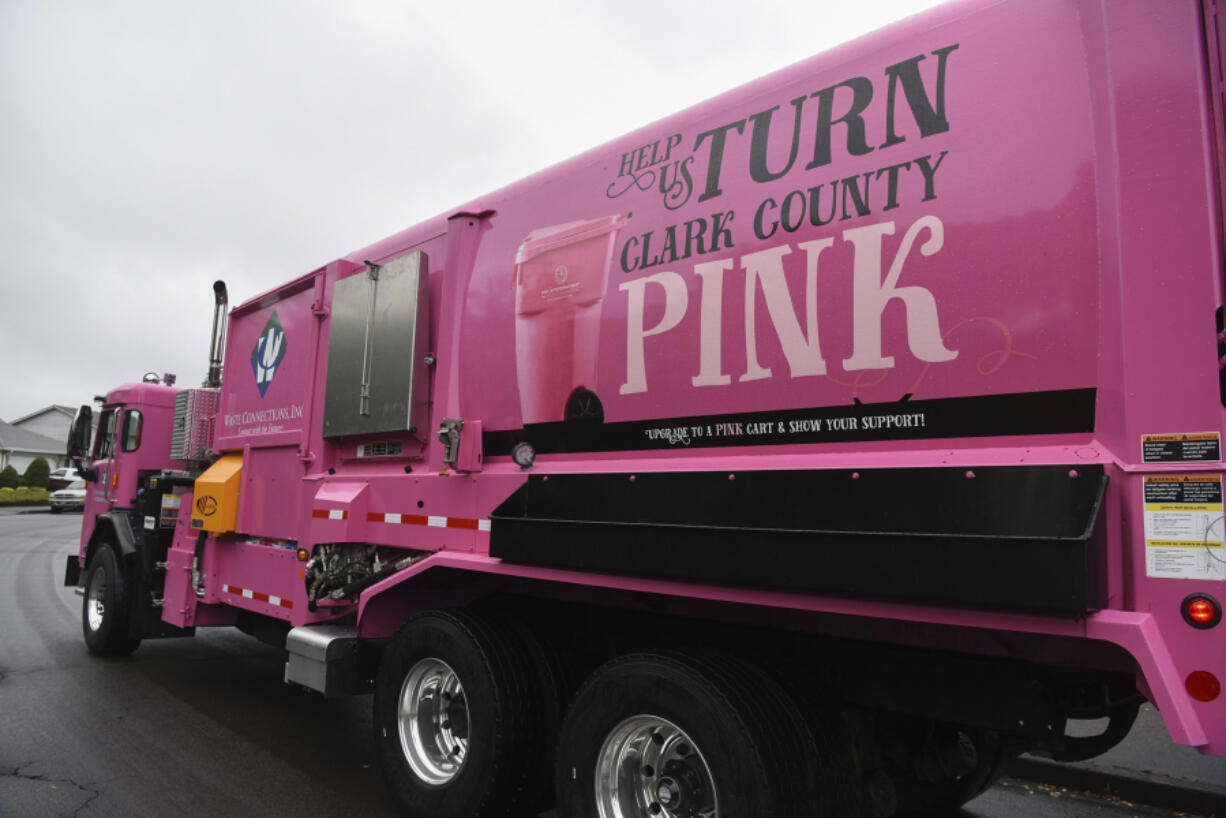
(205, 727)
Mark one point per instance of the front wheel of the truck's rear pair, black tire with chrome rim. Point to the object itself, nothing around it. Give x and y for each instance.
(479, 682)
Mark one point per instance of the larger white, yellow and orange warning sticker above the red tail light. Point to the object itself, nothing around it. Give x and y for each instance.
(1185, 527)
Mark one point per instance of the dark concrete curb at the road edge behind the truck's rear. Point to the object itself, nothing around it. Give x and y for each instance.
(1138, 788)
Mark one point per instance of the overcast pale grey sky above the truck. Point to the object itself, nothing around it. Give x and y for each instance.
(153, 147)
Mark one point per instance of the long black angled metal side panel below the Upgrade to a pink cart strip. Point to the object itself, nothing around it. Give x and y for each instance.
(1017, 538)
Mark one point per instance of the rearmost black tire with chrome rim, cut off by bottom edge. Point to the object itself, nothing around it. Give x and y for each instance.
(699, 732)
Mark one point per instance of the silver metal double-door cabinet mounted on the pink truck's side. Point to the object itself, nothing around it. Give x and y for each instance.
(377, 350)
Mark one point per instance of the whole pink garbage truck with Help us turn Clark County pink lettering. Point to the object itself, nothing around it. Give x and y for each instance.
(811, 452)
